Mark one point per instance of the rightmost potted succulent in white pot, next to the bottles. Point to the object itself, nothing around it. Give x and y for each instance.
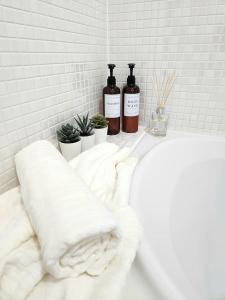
(100, 127)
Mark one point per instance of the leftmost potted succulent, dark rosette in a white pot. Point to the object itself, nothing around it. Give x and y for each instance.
(69, 141)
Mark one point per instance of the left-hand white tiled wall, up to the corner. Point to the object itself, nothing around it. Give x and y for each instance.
(52, 58)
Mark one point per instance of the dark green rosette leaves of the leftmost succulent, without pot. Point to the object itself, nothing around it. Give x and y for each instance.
(68, 134)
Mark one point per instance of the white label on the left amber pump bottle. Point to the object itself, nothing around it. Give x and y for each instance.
(112, 106)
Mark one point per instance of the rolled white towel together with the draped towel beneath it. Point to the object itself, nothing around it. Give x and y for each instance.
(82, 225)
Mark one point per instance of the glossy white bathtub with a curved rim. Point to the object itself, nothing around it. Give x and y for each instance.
(178, 192)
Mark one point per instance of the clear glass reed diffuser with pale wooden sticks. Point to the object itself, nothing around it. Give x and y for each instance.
(162, 86)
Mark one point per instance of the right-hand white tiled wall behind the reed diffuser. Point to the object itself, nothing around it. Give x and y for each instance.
(183, 35)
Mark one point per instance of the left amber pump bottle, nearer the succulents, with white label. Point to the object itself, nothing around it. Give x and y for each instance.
(111, 103)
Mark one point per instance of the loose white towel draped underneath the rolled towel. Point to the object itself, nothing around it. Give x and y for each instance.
(22, 275)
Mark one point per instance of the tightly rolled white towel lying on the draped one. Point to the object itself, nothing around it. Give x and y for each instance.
(76, 232)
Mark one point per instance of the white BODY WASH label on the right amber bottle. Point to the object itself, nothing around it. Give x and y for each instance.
(131, 105)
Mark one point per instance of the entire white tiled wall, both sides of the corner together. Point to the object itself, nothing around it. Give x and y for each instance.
(53, 56)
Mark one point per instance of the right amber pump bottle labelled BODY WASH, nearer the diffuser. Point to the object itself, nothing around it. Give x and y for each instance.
(130, 106)
